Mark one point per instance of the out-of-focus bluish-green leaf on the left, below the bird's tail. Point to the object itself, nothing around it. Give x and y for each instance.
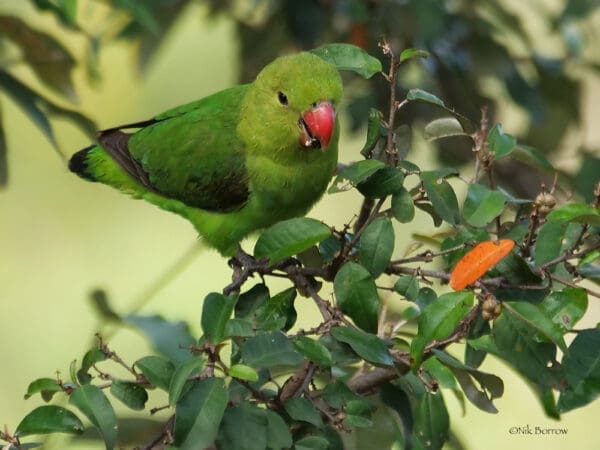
(171, 339)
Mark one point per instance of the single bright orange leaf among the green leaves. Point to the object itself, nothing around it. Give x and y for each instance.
(475, 263)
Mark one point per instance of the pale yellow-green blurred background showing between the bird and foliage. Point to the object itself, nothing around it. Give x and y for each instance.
(61, 237)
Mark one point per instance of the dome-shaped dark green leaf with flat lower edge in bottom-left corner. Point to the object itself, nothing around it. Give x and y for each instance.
(49, 419)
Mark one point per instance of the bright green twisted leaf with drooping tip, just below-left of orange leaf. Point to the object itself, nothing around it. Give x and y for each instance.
(438, 320)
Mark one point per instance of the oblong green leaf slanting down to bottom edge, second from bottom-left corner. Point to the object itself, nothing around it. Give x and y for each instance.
(92, 402)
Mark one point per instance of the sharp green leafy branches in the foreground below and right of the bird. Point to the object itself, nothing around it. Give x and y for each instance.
(384, 342)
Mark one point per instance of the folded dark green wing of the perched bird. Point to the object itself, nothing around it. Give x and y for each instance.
(190, 153)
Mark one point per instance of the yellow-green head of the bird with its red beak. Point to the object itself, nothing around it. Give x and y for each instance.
(291, 106)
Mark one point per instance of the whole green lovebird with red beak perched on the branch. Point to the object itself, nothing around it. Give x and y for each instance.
(233, 162)
